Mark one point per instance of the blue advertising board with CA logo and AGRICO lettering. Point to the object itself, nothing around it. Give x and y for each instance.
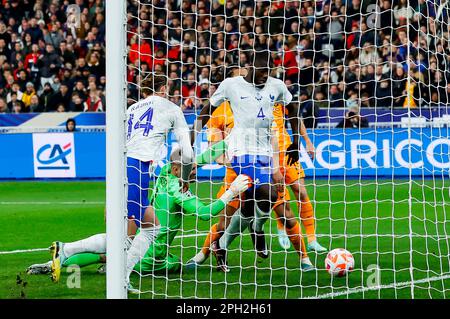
(384, 153)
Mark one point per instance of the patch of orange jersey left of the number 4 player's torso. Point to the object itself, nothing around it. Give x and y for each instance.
(220, 123)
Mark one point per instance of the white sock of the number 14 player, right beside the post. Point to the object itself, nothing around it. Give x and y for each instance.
(139, 246)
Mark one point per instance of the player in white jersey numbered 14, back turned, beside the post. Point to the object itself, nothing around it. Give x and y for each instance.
(148, 123)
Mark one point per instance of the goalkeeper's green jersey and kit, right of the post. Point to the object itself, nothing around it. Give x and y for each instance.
(171, 206)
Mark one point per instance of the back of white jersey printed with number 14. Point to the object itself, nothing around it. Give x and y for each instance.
(148, 123)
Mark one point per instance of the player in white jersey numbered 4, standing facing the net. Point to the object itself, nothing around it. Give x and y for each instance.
(252, 99)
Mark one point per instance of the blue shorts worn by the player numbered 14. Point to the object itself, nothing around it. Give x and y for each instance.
(138, 176)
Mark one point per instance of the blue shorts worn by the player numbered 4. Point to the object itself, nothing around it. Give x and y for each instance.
(257, 167)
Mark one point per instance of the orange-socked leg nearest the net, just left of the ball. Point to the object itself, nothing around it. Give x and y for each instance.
(293, 230)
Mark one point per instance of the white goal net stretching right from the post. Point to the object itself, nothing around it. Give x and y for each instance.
(372, 82)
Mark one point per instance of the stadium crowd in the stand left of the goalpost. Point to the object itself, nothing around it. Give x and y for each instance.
(45, 64)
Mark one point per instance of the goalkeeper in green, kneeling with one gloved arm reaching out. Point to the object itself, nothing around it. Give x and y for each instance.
(171, 201)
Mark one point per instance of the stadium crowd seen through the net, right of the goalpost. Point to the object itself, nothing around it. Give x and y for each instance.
(331, 53)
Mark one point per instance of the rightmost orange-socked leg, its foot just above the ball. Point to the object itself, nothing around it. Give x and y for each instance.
(306, 214)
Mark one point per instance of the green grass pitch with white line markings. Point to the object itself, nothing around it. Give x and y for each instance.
(372, 219)
